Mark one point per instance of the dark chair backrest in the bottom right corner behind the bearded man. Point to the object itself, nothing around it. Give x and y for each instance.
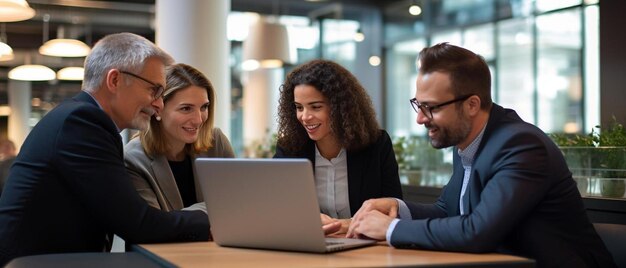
(614, 237)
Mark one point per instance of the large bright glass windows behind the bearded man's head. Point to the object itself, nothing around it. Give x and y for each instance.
(543, 56)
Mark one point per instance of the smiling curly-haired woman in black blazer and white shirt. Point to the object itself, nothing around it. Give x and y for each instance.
(325, 115)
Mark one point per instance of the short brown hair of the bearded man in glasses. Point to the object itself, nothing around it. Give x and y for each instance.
(469, 73)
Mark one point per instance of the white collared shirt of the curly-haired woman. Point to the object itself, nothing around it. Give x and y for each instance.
(331, 180)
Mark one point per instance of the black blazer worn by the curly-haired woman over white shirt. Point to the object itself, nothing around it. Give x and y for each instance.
(372, 171)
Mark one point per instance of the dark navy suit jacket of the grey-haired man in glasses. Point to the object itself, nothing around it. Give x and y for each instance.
(68, 188)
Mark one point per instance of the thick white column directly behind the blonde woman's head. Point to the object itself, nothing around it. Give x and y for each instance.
(194, 32)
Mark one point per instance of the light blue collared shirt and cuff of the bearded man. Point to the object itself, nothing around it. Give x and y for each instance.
(467, 159)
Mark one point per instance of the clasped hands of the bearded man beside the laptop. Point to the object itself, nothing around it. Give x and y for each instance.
(373, 218)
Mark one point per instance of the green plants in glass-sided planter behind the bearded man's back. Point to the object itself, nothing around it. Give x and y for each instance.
(598, 156)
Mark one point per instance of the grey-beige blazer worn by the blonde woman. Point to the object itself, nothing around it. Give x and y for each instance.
(153, 178)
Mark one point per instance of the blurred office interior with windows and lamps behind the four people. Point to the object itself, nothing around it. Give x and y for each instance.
(544, 55)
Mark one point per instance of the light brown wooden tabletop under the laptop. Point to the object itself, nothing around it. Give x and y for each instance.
(209, 254)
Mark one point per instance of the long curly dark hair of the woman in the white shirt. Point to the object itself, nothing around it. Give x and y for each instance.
(353, 120)
